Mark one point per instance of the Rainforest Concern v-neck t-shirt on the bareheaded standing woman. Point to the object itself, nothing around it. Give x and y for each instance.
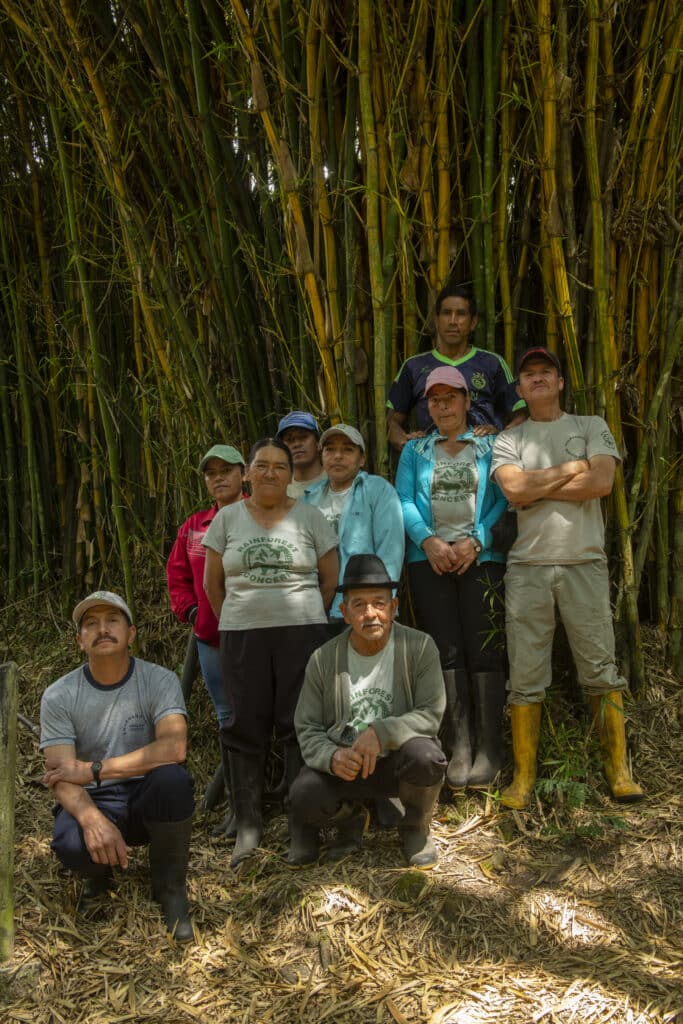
(271, 574)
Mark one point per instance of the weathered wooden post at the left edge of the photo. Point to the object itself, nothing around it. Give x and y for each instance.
(9, 701)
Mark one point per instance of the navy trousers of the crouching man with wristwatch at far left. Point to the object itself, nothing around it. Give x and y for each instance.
(165, 794)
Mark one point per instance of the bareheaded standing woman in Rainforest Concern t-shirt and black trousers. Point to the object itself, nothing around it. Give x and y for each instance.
(271, 575)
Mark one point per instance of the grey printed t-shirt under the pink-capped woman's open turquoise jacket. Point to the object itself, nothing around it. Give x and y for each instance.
(454, 491)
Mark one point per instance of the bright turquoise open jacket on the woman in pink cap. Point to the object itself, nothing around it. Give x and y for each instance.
(414, 481)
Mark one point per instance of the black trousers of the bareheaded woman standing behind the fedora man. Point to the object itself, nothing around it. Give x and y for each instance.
(263, 674)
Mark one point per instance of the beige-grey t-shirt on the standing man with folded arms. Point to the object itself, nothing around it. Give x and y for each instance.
(552, 533)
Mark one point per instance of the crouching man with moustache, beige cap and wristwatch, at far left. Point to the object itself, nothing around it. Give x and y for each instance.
(115, 736)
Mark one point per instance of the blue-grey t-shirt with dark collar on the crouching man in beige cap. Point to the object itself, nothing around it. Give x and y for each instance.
(108, 721)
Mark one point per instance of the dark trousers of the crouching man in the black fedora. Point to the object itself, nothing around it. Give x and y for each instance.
(316, 796)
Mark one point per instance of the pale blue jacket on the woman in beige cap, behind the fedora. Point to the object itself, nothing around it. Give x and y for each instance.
(372, 524)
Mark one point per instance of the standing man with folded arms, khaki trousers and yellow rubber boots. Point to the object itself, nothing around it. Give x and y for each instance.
(554, 470)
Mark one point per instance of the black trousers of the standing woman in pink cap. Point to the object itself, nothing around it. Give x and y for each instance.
(464, 615)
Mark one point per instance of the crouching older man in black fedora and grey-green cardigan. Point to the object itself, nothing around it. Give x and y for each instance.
(367, 722)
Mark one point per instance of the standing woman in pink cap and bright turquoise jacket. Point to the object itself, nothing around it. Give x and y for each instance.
(450, 506)
